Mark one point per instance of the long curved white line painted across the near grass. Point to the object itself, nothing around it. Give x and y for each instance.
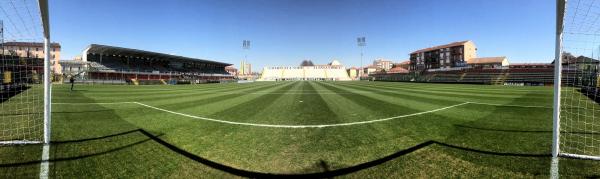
(301, 126)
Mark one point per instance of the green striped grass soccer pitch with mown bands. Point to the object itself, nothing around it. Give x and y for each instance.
(303, 129)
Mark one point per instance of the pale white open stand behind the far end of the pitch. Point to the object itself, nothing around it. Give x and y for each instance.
(333, 71)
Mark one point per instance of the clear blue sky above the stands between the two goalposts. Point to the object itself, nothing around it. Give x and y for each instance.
(284, 32)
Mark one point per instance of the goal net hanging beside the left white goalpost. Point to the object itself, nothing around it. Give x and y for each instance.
(21, 72)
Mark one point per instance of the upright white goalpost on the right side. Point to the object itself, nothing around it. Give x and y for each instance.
(560, 11)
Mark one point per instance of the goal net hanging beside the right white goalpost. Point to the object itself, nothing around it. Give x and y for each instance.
(579, 124)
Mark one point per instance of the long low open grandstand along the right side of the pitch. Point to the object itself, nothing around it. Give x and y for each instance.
(497, 71)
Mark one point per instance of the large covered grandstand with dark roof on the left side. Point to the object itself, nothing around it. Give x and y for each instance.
(110, 64)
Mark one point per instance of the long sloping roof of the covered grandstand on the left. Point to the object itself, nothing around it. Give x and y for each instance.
(121, 51)
